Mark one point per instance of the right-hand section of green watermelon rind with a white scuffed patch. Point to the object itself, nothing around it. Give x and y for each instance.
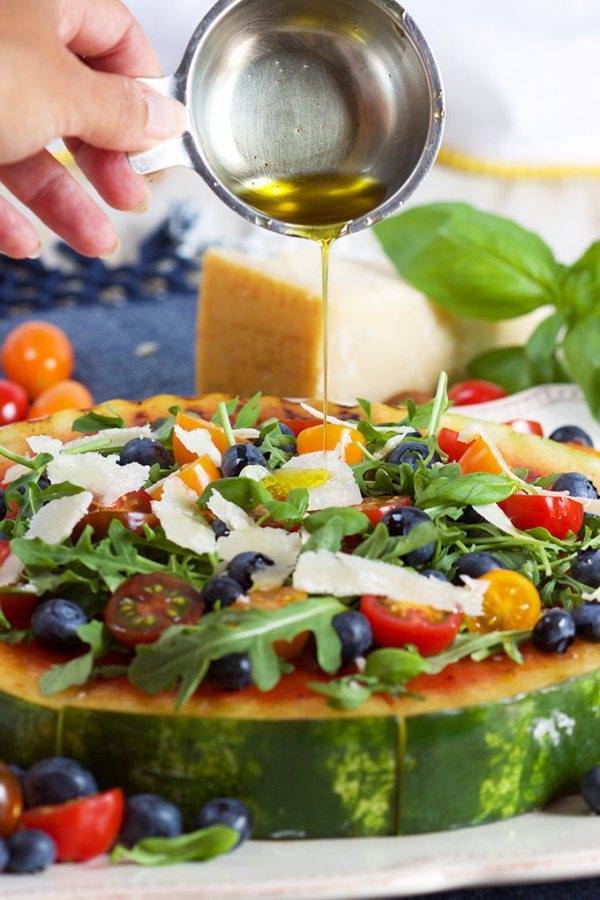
(489, 762)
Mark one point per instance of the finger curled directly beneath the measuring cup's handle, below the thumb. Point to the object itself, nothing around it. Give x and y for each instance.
(112, 176)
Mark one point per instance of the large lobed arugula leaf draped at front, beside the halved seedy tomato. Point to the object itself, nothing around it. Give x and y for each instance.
(183, 654)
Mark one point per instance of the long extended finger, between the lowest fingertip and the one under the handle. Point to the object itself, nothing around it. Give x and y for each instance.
(43, 185)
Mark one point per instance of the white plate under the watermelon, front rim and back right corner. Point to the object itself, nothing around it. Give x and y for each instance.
(560, 842)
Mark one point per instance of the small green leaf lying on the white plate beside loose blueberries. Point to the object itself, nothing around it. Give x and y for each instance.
(194, 847)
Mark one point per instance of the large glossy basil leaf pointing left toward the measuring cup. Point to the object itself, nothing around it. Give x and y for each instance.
(471, 262)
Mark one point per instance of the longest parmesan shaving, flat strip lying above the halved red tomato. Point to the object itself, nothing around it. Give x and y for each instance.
(342, 575)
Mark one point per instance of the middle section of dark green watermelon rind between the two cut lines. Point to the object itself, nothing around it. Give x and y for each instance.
(310, 778)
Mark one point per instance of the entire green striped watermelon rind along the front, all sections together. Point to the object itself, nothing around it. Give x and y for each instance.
(336, 777)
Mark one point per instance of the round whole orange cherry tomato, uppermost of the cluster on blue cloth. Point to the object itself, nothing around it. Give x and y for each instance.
(37, 355)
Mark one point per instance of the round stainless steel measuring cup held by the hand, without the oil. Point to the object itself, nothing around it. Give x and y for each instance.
(287, 88)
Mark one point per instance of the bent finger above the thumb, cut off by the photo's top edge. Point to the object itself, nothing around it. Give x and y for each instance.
(108, 36)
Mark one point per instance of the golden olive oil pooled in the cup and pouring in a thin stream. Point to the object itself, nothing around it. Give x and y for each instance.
(320, 207)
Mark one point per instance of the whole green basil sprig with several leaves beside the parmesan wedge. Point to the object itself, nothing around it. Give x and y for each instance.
(485, 266)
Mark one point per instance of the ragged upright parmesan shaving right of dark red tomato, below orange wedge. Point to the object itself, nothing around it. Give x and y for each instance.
(178, 514)
